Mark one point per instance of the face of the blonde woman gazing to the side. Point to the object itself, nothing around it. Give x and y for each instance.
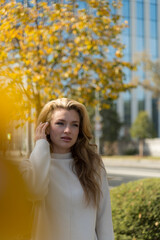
(64, 130)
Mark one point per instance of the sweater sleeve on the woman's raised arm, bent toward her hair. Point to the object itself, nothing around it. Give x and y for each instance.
(35, 170)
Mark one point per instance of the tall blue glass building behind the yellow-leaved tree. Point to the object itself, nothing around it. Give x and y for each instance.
(142, 35)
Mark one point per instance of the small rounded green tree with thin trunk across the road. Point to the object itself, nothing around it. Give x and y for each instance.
(142, 128)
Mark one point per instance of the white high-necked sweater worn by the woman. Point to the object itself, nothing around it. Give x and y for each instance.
(51, 176)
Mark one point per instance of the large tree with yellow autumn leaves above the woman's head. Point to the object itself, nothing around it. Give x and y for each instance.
(49, 51)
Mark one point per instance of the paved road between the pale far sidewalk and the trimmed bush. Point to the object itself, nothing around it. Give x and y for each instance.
(123, 174)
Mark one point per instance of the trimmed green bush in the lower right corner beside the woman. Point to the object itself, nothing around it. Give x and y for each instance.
(136, 210)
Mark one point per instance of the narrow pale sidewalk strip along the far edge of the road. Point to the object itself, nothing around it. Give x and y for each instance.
(140, 163)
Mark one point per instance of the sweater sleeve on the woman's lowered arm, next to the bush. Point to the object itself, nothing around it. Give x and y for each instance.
(104, 226)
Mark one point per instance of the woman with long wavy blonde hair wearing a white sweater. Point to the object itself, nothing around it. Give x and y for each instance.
(66, 176)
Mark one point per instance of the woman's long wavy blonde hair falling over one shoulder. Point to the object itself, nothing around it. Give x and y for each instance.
(87, 163)
